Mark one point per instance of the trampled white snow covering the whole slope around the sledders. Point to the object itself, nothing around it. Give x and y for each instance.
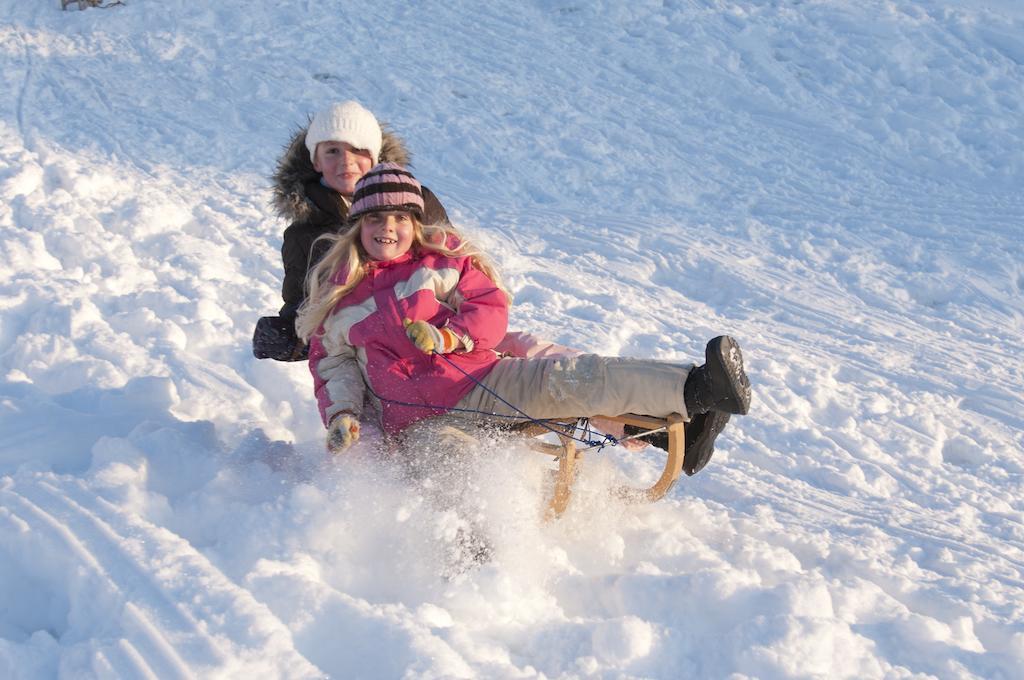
(837, 185)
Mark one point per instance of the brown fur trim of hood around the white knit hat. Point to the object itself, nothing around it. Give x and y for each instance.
(295, 171)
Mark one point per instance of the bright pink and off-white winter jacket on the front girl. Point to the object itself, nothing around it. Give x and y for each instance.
(363, 342)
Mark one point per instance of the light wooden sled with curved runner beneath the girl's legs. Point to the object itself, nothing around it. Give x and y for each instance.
(570, 457)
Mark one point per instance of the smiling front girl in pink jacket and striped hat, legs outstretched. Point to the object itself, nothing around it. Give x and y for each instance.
(411, 314)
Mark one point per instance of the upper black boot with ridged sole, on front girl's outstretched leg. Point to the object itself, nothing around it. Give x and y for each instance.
(721, 384)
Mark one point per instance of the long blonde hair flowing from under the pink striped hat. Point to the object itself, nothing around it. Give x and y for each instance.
(347, 262)
